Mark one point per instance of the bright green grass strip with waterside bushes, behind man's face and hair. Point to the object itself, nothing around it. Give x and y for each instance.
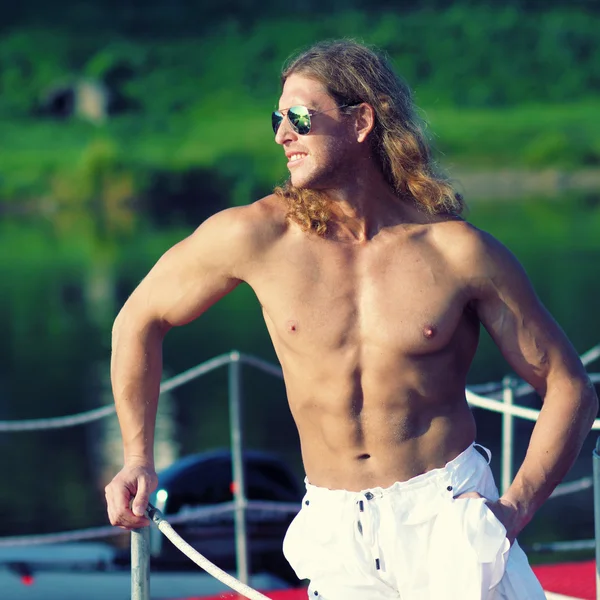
(104, 181)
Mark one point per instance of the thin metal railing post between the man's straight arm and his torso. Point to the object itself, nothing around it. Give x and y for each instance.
(239, 488)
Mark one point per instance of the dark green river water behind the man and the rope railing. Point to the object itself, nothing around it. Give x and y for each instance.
(59, 293)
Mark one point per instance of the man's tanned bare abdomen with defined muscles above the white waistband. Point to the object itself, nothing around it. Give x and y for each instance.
(355, 441)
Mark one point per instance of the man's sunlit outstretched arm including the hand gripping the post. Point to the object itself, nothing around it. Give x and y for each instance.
(185, 282)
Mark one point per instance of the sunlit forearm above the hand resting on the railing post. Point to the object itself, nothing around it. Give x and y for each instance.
(136, 371)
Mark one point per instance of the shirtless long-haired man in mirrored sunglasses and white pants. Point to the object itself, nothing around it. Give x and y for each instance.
(373, 289)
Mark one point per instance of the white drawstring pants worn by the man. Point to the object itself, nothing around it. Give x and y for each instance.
(411, 541)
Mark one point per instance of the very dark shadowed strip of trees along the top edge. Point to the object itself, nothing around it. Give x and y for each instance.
(152, 17)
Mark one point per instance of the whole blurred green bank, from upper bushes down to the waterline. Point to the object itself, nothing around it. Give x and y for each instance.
(501, 87)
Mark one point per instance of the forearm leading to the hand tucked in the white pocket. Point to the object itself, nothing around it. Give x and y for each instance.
(565, 420)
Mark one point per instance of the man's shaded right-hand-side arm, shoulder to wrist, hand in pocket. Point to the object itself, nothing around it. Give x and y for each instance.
(540, 353)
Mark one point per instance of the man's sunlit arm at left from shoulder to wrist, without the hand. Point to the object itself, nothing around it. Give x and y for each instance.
(187, 280)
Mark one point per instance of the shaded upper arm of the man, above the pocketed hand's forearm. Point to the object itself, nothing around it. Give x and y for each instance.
(529, 338)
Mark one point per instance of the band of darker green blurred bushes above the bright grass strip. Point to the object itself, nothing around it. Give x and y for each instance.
(462, 56)
